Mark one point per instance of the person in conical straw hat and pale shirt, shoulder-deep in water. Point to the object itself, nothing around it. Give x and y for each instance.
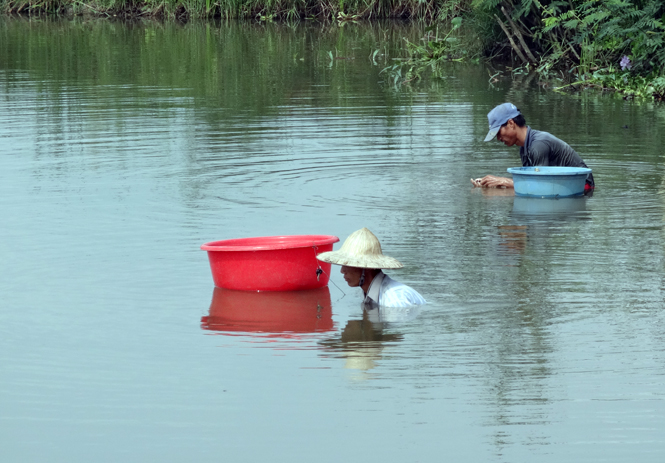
(361, 259)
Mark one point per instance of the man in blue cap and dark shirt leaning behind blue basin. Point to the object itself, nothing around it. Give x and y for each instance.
(536, 148)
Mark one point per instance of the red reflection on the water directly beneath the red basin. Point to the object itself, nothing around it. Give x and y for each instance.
(280, 313)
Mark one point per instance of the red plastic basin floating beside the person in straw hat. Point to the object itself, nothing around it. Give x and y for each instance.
(270, 263)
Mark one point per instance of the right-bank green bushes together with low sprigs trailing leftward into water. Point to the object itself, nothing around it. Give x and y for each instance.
(611, 44)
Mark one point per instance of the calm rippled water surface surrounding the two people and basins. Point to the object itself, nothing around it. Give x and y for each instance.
(127, 146)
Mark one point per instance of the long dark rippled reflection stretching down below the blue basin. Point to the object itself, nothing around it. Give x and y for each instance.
(543, 238)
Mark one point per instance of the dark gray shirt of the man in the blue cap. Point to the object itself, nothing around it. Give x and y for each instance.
(544, 149)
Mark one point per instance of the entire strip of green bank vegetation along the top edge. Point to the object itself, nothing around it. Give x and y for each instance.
(611, 44)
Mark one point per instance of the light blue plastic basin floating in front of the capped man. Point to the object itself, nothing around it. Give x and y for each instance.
(549, 182)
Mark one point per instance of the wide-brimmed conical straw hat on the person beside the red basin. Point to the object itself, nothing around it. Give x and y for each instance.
(361, 249)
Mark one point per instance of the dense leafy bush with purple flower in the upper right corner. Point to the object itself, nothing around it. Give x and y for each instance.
(587, 38)
